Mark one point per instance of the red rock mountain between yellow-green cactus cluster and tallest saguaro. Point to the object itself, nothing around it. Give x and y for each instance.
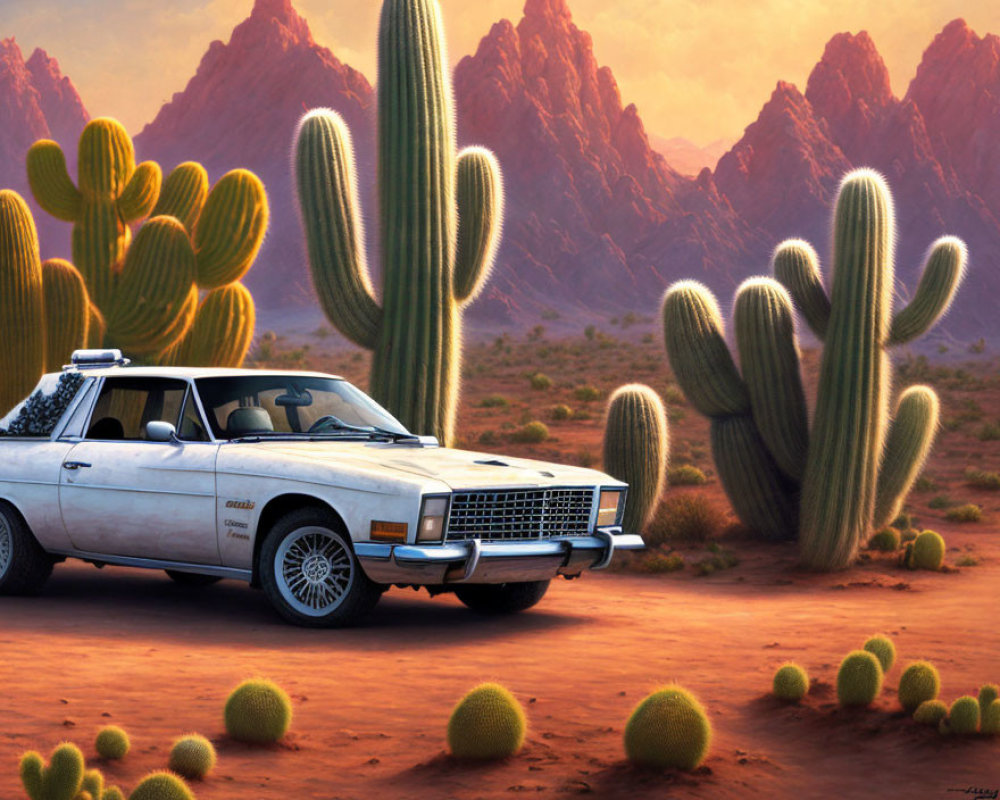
(240, 110)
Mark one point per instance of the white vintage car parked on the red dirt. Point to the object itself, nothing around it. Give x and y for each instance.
(296, 482)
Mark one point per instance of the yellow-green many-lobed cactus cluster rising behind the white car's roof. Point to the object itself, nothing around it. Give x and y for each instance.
(144, 292)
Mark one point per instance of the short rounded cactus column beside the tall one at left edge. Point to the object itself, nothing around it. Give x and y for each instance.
(67, 312)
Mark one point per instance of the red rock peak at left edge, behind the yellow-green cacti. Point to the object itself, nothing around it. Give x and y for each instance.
(36, 102)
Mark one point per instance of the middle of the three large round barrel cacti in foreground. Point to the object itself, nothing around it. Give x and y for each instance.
(488, 723)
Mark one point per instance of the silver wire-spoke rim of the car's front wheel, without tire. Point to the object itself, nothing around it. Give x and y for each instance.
(313, 570)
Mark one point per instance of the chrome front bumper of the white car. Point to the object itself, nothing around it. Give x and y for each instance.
(475, 561)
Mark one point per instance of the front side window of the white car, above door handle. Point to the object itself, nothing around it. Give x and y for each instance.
(126, 405)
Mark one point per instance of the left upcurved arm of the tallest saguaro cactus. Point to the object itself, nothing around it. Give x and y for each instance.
(326, 187)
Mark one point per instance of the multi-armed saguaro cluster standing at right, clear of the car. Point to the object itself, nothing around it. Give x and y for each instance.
(849, 475)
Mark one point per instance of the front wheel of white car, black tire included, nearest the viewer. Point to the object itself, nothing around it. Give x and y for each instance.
(310, 574)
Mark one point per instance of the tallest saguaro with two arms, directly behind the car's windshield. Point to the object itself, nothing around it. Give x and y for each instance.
(440, 221)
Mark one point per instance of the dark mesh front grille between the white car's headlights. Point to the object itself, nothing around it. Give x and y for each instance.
(520, 514)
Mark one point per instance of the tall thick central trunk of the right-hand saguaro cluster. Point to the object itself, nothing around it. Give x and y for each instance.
(838, 490)
